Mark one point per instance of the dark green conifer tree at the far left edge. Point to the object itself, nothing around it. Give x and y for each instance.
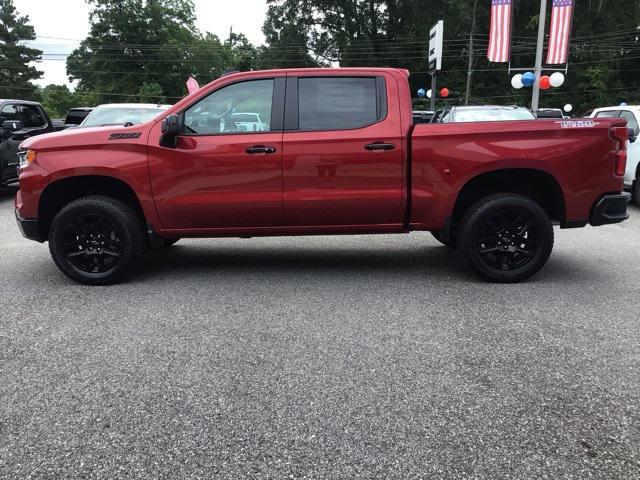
(16, 71)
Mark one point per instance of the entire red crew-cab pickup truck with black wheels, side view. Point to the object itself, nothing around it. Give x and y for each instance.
(317, 151)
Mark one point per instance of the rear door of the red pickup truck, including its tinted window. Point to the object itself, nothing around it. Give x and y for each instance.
(342, 151)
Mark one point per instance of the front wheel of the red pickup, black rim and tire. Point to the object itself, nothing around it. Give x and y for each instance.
(97, 240)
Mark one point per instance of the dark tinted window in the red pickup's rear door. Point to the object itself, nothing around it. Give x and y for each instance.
(338, 103)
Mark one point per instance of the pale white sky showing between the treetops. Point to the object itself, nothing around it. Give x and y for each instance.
(61, 24)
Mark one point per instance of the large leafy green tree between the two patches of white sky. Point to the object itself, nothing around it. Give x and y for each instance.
(132, 42)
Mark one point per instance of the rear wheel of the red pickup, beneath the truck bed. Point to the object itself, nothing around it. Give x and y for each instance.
(506, 237)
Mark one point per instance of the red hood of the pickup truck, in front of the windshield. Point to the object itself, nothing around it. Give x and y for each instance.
(80, 137)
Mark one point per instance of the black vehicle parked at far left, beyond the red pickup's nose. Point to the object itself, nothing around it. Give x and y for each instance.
(19, 120)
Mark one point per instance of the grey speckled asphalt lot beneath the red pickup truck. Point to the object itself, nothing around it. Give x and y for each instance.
(323, 357)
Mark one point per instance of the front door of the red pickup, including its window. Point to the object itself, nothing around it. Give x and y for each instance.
(223, 174)
